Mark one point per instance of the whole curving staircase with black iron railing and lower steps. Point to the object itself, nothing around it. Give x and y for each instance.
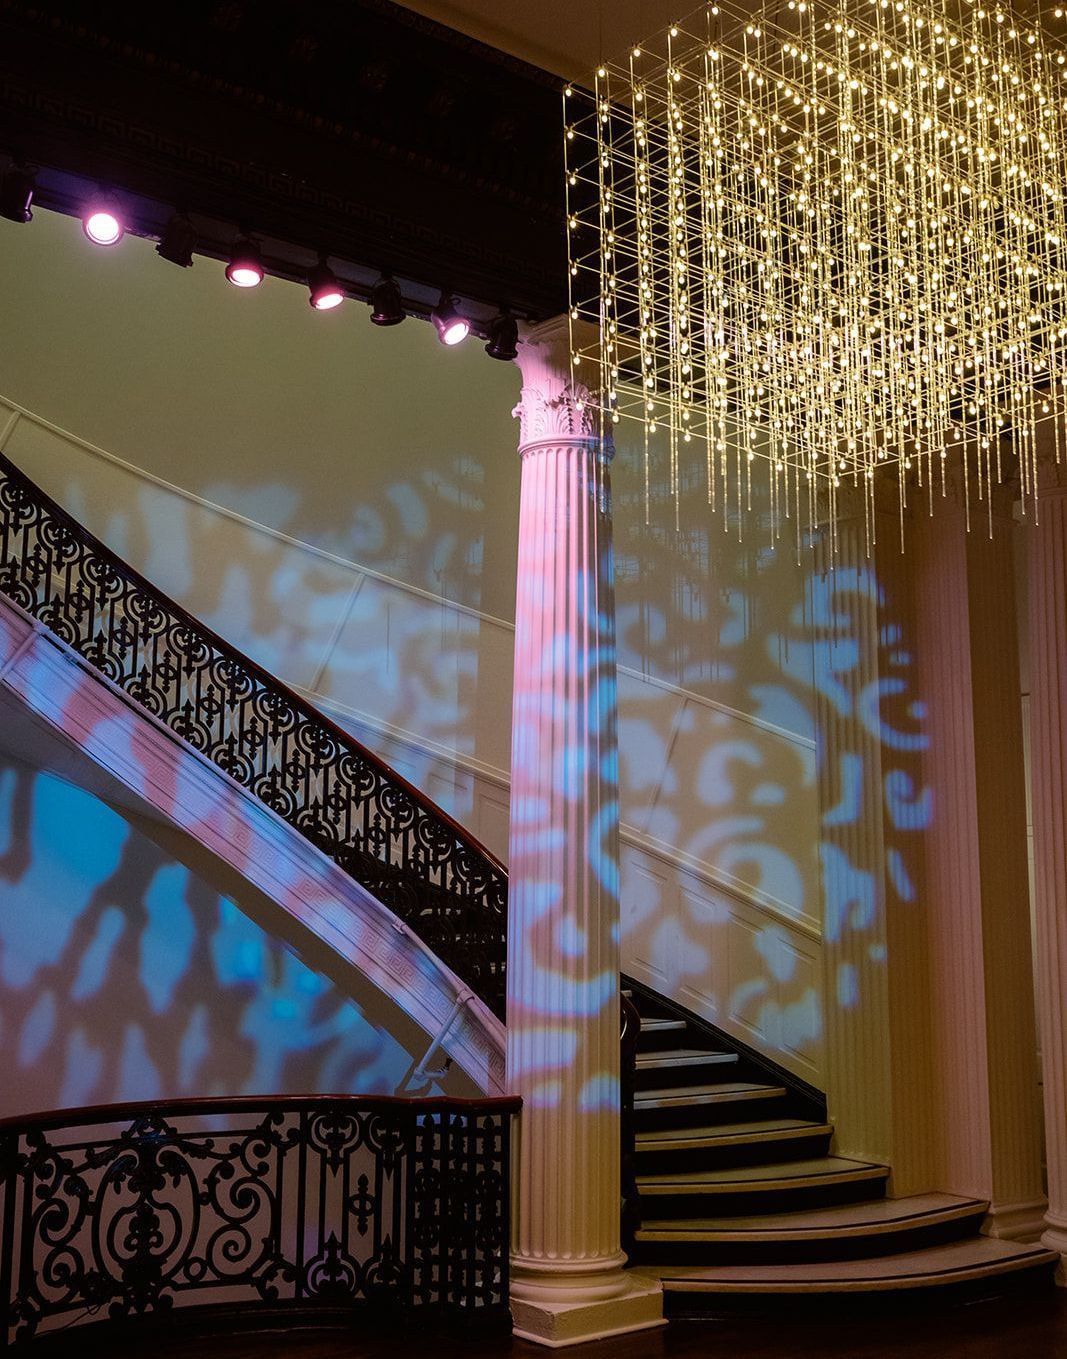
(741, 1198)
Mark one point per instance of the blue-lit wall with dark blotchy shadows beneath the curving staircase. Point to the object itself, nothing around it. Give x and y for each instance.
(126, 976)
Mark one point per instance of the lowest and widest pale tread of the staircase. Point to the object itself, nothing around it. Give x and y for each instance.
(959, 1262)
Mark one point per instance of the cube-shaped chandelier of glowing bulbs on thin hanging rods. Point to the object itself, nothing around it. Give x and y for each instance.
(819, 237)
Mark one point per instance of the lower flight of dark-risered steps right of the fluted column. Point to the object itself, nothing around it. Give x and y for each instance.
(743, 1203)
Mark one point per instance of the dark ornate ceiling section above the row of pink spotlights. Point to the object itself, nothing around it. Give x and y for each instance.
(353, 127)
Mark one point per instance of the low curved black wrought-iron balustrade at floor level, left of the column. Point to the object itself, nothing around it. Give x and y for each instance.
(377, 1207)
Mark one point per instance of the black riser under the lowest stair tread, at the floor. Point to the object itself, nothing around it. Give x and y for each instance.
(1020, 1284)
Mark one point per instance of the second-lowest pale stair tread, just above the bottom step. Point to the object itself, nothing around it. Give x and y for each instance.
(852, 1220)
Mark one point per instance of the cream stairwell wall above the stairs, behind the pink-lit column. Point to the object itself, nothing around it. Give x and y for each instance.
(342, 505)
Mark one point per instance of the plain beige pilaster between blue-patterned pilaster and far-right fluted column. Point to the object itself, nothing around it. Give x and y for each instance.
(977, 898)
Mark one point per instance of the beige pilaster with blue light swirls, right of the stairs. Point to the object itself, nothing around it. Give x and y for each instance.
(872, 808)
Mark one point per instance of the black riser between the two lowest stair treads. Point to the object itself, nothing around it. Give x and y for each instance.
(873, 1247)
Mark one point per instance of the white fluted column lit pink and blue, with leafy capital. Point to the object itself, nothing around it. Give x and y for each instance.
(563, 1024)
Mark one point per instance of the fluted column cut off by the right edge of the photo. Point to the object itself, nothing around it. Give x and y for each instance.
(1049, 774)
